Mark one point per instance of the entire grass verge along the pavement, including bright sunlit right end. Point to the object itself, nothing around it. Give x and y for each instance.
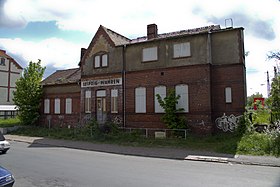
(248, 144)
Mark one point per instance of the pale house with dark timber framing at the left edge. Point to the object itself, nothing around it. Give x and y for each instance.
(10, 71)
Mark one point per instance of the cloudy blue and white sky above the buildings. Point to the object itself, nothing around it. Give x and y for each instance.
(54, 31)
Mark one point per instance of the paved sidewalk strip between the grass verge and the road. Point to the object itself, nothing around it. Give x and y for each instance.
(159, 152)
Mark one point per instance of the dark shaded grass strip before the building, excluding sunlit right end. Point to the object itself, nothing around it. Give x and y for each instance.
(223, 143)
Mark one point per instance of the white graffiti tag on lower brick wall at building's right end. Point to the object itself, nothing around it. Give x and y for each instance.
(227, 123)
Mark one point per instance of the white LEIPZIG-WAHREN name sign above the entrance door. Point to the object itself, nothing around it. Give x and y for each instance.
(102, 82)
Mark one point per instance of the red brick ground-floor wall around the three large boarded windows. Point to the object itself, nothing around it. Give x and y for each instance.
(197, 77)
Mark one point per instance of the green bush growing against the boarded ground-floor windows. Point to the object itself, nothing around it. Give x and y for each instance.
(170, 117)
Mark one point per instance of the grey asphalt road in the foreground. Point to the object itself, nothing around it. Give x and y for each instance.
(43, 166)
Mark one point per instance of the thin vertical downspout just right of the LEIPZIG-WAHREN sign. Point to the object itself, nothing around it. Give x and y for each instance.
(124, 85)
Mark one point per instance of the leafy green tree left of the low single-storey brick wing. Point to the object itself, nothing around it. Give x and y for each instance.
(28, 94)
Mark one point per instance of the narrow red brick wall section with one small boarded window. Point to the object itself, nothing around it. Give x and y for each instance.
(228, 76)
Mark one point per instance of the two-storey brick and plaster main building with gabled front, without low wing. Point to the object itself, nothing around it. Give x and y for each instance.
(121, 77)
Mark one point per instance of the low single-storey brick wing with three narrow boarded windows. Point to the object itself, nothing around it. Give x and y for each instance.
(61, 98)
